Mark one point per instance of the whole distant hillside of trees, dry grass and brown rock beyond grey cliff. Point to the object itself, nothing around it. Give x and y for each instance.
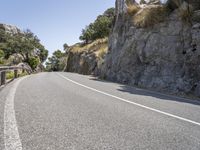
(87, 56)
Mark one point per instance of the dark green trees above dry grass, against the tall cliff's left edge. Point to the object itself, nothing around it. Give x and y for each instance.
(100, 28)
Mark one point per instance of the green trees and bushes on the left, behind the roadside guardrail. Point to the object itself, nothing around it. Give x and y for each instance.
(21, 47)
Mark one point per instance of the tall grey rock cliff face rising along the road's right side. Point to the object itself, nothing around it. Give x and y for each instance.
(164, 57)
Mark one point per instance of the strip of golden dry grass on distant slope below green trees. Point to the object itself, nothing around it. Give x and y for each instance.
(99, 47)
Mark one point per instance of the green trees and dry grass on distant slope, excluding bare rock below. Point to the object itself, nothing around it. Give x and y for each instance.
(95, 40)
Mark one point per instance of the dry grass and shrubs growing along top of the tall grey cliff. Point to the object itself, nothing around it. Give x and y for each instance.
(155, 11)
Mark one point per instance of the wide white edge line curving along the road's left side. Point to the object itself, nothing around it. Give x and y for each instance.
(12, 140)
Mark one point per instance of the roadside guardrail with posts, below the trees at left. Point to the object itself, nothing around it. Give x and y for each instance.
(5, 69)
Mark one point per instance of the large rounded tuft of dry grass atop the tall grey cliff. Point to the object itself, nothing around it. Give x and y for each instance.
(150, 15)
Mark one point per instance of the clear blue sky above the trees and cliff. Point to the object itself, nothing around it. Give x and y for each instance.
(55, 22)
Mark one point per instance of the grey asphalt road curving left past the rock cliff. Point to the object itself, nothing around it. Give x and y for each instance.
(66, 111)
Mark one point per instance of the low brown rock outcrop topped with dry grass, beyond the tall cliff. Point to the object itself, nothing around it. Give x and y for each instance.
(86, 59)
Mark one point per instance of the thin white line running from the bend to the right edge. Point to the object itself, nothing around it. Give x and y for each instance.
(133, 103)
